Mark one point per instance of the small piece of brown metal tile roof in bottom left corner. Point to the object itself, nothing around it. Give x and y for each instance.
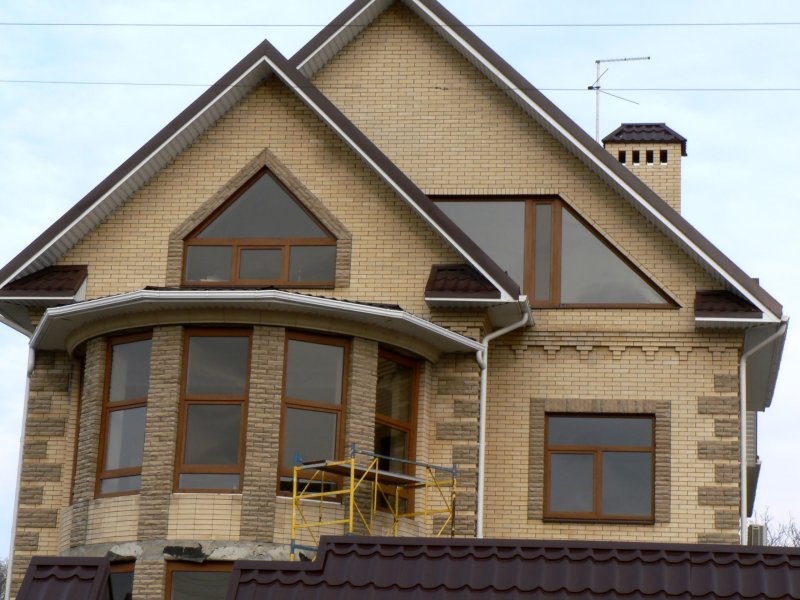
(66, 578)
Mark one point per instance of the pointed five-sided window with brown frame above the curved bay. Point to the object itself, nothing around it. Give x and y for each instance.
(261, 236)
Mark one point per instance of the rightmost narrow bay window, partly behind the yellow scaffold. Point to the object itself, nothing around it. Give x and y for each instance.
(395, 414)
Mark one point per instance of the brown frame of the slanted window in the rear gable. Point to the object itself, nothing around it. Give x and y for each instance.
(529, 258)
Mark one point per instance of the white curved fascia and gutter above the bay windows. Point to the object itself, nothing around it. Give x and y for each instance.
(184, 297)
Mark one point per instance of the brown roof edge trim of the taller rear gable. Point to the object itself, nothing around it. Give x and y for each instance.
(523, 87)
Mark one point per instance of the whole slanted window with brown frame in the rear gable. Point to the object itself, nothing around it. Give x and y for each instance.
(557, 258)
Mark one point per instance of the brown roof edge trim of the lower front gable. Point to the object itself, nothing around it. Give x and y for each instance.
(303, 88)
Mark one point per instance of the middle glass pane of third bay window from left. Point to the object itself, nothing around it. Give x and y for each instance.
(311, 434)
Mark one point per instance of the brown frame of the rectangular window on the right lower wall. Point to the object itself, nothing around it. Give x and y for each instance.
(597, 450)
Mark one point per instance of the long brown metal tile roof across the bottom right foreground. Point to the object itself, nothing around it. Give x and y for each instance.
(370, 567)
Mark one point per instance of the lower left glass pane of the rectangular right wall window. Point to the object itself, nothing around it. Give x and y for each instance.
(571, 483)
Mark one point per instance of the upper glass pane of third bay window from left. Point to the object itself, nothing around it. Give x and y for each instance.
(314, 372)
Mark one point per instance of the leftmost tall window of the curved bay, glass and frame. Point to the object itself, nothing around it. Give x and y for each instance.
(124, 415)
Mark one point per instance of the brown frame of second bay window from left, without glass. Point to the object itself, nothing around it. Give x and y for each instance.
(186, 401)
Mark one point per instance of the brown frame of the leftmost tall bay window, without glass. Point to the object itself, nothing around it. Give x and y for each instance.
(107, 409)
